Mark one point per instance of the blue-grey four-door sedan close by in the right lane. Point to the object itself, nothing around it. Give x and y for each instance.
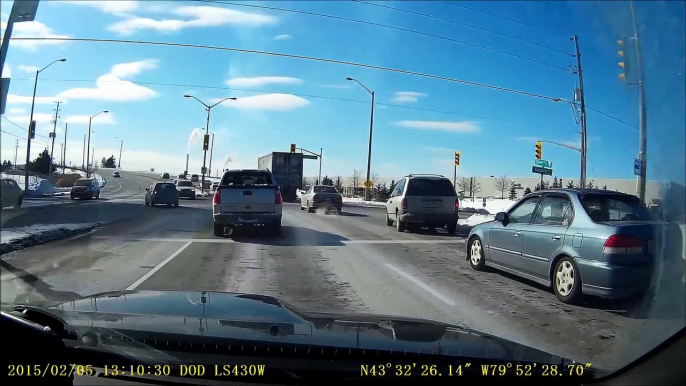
(579, 241)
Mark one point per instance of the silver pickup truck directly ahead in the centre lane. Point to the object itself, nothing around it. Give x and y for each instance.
(247, 198)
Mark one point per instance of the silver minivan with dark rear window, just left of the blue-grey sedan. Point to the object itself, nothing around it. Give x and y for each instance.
(423, 200)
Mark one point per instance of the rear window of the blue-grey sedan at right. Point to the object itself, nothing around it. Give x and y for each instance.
(605, 207)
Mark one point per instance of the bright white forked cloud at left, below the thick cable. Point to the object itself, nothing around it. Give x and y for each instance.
(110, 87)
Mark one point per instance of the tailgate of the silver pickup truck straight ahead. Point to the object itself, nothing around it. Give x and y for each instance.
(247, 199)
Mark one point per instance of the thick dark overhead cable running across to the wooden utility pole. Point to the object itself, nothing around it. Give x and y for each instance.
(302, 57)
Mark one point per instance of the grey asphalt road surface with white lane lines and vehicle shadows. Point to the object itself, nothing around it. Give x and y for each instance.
(352, 262)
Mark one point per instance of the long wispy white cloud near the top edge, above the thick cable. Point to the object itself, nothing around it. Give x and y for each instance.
(196, 16)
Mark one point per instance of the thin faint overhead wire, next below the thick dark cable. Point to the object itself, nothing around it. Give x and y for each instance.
(264, 92)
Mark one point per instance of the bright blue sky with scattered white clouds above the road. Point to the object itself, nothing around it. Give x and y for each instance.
(495, 134)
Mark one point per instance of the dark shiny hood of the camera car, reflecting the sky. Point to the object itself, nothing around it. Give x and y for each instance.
(151, 314)
